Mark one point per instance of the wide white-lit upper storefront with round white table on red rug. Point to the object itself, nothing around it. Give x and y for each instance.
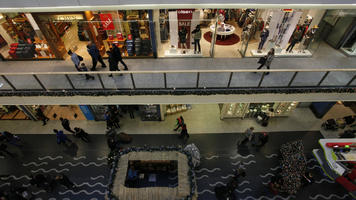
(239, 32)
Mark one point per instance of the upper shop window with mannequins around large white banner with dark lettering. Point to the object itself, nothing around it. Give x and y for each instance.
(289, 32)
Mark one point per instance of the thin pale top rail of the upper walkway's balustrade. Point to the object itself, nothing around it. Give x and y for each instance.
(180, 71)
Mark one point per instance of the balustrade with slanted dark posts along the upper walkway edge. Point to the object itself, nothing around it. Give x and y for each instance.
(99, 74)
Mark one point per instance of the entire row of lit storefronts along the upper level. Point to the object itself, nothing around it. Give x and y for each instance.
(226, 33)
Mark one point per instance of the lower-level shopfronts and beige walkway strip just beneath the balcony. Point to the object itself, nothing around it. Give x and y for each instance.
(199, 118)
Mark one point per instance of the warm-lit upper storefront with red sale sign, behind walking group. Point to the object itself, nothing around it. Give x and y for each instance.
(129, 30)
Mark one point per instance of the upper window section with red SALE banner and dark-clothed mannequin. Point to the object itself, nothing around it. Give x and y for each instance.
(185, 32)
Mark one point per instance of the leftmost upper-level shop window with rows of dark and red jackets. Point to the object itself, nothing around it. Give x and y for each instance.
(20, 38)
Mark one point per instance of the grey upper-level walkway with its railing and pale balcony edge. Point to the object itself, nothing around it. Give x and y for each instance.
(328, 75)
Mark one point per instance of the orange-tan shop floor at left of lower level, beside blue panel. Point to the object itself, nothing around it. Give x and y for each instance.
(68, 112)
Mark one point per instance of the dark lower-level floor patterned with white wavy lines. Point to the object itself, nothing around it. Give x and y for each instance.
(85, 165)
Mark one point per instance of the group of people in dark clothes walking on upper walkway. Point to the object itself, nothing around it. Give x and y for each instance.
(114, 54)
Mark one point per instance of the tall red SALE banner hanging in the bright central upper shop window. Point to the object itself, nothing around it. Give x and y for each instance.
(184, 20)
